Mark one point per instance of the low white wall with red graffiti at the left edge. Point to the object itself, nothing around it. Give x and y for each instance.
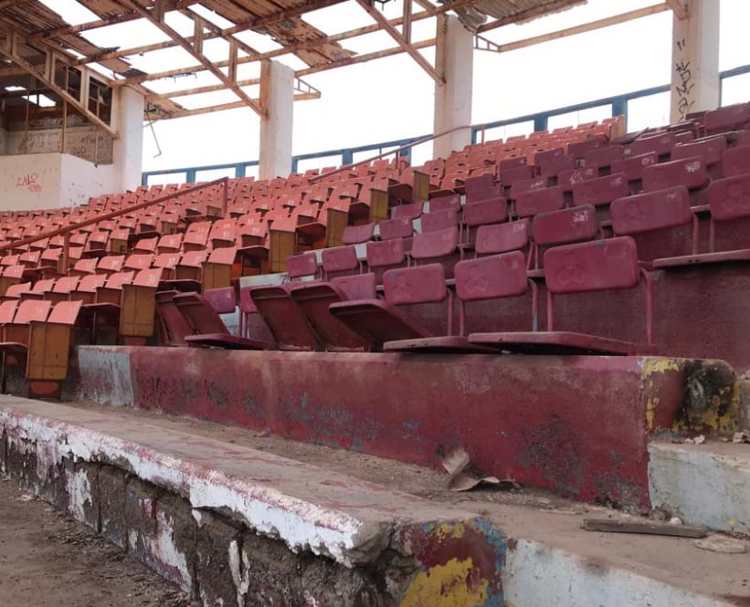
(47, 181)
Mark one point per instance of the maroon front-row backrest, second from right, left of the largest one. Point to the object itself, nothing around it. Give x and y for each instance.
(491, 277)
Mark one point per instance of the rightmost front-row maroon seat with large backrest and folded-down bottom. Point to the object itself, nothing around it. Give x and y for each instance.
(588, 267)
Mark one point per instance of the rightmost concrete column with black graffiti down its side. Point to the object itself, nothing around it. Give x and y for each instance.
(695, 59)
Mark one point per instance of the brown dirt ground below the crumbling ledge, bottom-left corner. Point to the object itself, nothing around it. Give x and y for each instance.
(50, 560)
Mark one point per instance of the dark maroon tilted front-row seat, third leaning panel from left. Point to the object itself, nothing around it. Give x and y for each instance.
(284, 318)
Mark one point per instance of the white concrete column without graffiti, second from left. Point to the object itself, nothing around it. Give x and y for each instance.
(277, 96)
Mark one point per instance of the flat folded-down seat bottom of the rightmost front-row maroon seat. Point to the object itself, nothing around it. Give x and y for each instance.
(557, 342)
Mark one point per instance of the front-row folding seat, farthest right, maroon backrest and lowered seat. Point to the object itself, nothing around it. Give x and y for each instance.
(602, 267)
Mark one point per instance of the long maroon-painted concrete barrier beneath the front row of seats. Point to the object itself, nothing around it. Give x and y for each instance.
(576, 425)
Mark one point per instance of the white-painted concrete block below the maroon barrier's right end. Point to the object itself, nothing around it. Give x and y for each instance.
(706, 484)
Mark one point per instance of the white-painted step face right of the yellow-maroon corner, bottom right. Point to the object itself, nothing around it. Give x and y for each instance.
(537, 575)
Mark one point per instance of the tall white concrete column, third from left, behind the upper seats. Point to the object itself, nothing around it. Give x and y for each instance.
(454, 59)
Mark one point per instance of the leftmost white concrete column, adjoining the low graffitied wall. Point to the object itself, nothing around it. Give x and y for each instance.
(128, 147)
